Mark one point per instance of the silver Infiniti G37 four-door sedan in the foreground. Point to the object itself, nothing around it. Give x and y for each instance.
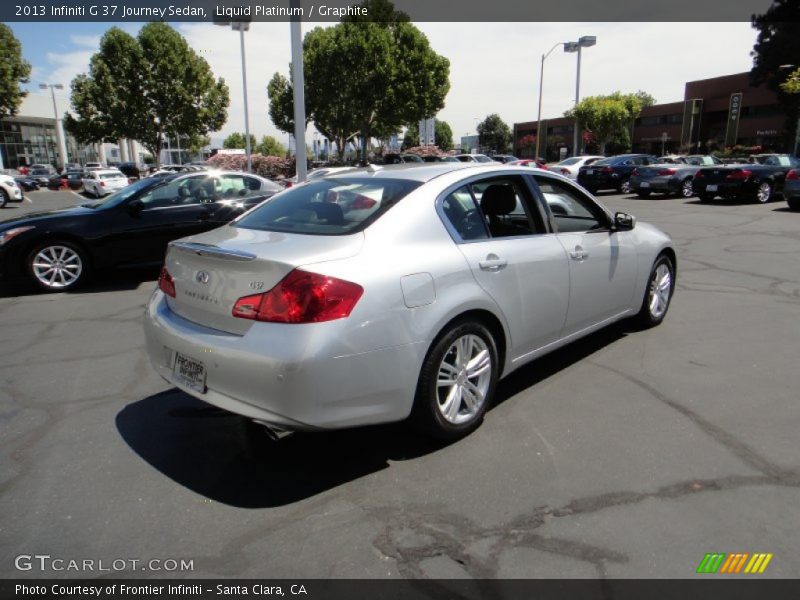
(381, 294)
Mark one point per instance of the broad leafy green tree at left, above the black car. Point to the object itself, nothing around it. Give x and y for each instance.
(145, 87)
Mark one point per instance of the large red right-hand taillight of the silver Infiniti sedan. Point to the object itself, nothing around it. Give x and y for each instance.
(301, 297)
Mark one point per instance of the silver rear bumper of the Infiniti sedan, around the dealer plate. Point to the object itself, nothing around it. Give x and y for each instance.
(286, 375)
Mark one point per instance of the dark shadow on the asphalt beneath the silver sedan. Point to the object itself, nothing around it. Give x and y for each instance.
(231, 460)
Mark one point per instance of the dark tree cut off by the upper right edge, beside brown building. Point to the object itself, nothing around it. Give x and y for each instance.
(777, 45)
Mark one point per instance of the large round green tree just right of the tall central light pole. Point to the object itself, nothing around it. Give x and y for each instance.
(365, 78)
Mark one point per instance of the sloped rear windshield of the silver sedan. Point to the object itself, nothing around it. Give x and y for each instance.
(328, 206)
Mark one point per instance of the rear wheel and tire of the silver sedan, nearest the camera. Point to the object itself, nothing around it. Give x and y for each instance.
(457, 381)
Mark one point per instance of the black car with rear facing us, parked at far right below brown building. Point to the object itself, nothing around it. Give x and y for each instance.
(745, 181)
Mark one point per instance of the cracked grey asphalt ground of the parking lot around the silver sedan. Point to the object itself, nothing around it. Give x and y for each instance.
(629, 454)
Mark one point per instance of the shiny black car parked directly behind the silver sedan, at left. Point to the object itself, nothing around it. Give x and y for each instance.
(58, 249)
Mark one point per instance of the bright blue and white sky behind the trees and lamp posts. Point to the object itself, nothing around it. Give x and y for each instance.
(494, 66)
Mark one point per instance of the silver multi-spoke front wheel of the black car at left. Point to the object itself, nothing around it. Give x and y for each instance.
(57, 266)
